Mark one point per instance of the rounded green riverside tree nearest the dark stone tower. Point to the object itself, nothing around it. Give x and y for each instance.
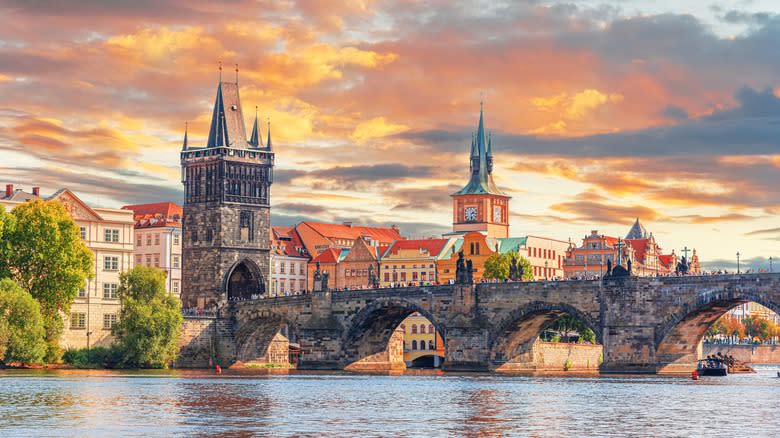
(149, 326)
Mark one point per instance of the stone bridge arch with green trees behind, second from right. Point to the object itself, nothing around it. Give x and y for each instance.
(511, 340)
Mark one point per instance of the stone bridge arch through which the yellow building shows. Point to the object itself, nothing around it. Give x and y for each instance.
(367, 337)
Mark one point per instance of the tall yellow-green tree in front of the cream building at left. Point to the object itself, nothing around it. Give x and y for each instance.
(42, 251)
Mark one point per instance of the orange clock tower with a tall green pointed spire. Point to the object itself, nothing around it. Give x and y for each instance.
(480, 205)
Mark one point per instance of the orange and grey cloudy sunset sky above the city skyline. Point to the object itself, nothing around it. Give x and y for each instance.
(601, 112)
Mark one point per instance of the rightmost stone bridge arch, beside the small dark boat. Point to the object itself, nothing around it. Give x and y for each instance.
(677, 338)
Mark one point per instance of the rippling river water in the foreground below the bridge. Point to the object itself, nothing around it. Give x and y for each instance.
(199, 403)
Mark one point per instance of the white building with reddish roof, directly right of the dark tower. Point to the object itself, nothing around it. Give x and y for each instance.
(289, 263)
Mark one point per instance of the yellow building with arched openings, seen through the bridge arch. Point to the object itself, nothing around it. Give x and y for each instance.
(421, 340)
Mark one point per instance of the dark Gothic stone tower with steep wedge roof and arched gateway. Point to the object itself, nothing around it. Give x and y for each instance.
(225, 251)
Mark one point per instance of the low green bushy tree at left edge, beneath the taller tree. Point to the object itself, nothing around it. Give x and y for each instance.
(21, 325)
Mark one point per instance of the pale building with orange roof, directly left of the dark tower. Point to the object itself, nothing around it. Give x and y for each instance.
(158, 240)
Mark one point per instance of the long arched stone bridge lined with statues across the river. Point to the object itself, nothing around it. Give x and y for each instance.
(646, 325)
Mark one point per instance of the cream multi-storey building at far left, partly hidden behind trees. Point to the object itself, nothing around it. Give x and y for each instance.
(109, 234)
